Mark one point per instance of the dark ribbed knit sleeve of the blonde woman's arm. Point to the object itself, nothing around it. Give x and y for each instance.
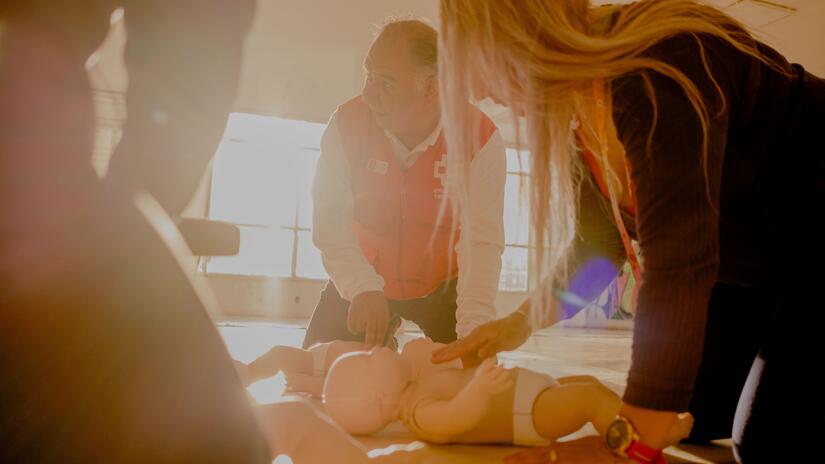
(677, 194)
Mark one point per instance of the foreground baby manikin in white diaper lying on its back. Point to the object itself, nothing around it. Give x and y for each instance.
(365, 391)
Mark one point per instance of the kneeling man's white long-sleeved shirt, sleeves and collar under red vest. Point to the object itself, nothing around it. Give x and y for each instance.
(346, 264)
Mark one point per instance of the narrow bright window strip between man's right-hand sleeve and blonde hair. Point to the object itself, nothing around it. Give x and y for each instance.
(514, 262)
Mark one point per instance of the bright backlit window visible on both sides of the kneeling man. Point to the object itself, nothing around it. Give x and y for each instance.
(261, 181)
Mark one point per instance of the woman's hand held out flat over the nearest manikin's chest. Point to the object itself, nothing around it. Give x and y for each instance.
(486, 340)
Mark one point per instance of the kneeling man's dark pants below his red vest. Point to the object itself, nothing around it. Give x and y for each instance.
(434, 314)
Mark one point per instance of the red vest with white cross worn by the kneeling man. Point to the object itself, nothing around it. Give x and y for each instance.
(396, 211)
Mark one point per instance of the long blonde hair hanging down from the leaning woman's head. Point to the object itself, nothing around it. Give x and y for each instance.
(543, 56)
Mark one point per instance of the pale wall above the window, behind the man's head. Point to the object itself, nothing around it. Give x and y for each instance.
(304, 58)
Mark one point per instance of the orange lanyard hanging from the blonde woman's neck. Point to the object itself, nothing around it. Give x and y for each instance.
(601, 132)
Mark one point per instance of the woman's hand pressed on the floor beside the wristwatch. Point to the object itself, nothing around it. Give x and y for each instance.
(587, 450)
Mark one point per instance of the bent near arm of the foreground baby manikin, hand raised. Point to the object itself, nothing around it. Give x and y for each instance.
(441, 420)
